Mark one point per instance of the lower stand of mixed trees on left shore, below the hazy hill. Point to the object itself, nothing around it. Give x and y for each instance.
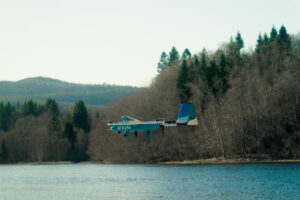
(43, 132)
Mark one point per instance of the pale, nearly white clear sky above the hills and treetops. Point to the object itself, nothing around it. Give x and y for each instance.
(120, 41)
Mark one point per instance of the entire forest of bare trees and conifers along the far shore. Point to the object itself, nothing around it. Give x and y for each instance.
(247, 104)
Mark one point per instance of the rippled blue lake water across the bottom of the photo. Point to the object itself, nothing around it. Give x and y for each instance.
(98, 181)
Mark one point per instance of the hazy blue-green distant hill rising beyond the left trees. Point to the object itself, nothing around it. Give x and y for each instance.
(41, 88)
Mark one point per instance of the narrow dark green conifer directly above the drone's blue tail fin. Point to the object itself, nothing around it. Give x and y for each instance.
(183, 79)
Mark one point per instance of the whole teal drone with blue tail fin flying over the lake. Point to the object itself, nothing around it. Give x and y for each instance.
(186, 117)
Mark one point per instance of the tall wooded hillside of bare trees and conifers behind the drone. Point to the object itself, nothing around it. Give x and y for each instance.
(247, 104)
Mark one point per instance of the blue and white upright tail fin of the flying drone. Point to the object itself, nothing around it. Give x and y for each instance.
(187, 115)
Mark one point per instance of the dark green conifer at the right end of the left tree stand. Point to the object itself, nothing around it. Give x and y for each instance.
(80, 116)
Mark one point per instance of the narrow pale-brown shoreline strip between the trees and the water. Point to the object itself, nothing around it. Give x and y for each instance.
(209, 161)
